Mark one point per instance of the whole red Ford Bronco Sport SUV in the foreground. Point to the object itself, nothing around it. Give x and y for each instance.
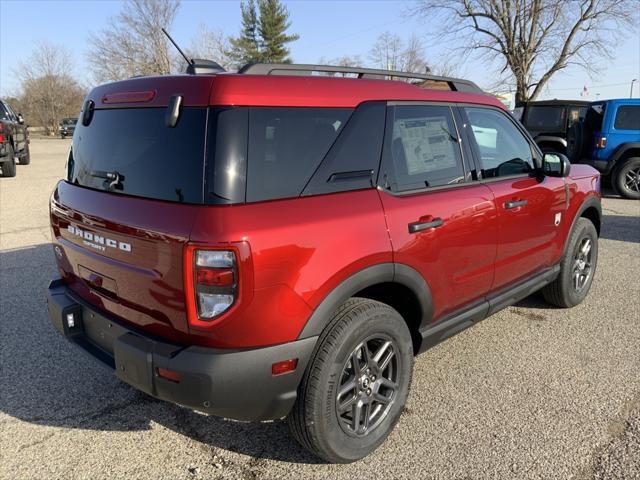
(271, 244)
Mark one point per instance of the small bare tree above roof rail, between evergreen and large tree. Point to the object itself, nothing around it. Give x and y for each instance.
(389, 52)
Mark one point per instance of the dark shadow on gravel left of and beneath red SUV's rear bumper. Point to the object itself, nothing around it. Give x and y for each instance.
(48, 381)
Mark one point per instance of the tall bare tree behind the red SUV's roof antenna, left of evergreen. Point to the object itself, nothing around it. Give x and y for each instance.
(133, 42)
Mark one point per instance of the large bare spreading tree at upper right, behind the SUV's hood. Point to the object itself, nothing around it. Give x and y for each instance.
(534, 39)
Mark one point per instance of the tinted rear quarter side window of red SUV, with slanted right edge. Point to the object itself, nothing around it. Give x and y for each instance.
(286, 145)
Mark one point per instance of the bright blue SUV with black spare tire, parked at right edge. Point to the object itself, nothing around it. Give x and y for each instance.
(609, 140)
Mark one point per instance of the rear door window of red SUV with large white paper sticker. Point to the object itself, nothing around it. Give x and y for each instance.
(421, 148)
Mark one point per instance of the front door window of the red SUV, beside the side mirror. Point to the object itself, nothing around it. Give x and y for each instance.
(503, 149)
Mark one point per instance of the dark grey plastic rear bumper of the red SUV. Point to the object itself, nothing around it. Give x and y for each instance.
(235, 384)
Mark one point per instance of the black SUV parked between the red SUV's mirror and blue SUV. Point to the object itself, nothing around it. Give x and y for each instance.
(549, 121)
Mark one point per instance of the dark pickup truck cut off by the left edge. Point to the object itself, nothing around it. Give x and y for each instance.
(14, 140)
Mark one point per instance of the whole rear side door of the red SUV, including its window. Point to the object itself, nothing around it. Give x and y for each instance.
(441, 222)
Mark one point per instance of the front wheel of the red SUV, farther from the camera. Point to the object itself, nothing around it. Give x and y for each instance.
(574, 281)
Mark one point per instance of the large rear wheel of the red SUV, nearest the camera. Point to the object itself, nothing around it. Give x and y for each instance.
(315, 421)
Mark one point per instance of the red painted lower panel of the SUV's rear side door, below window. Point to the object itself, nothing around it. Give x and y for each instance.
(456, 260)
